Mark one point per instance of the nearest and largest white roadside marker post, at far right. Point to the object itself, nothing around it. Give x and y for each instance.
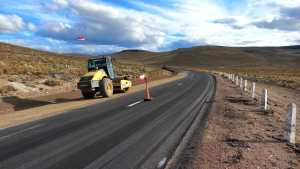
(290, 125)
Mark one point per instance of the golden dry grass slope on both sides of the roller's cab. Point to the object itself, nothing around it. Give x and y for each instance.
(15, 60)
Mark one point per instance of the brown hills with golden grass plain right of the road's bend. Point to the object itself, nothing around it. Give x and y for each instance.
(273, 65)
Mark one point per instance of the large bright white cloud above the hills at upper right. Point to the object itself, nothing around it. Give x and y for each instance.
(196, 20)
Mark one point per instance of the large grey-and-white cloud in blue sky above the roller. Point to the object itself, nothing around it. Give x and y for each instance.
(108, 25)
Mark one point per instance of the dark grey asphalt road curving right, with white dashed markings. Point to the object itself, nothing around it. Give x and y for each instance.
(123, 133)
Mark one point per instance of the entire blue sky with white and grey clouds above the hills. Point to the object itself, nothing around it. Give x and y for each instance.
(158, 25)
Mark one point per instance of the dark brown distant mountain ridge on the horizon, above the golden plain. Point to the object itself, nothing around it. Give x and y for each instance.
(217, 56)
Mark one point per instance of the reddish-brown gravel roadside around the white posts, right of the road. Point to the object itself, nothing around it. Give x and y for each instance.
(240, 136)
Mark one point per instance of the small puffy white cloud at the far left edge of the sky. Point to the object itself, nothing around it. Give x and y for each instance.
(10, 23)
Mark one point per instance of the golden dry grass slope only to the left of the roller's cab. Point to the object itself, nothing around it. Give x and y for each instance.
(23, 61)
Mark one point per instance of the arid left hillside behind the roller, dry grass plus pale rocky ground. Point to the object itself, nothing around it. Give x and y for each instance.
(27, 71)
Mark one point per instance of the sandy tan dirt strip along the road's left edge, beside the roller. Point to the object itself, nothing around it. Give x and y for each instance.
(31, 114)
